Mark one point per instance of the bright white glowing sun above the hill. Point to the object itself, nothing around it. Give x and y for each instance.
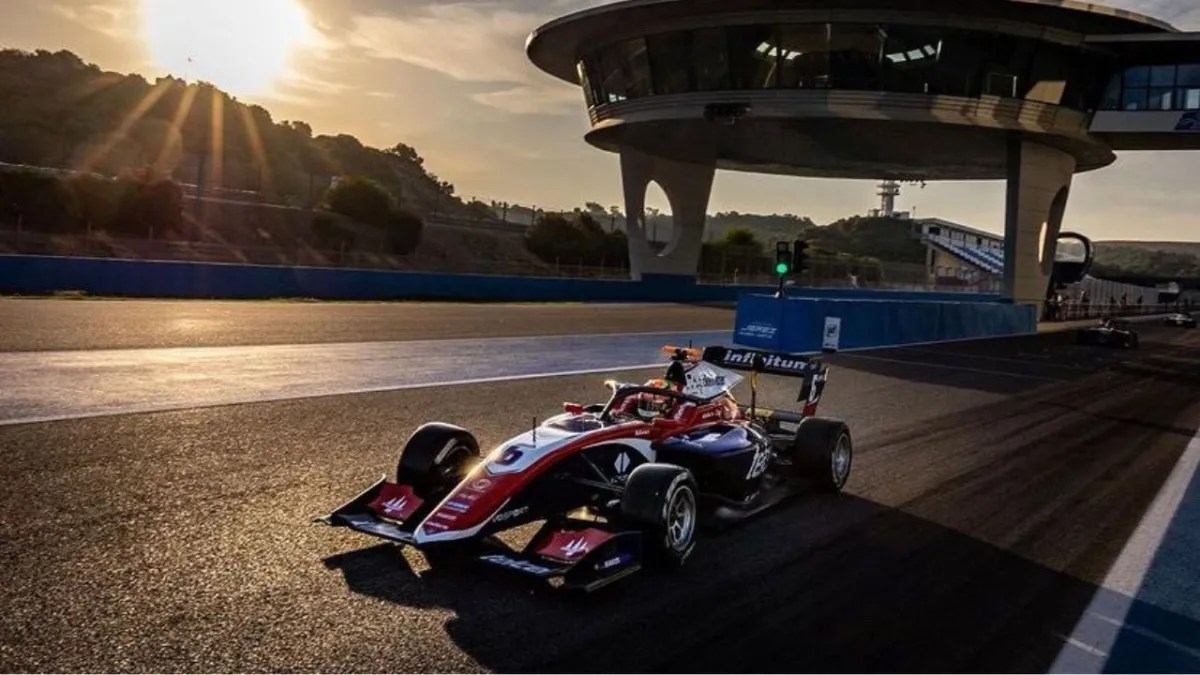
(242, 46)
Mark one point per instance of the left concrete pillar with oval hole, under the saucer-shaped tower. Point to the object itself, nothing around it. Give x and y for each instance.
(688, 188)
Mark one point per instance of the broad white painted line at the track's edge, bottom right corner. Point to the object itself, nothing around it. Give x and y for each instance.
(1089, 647)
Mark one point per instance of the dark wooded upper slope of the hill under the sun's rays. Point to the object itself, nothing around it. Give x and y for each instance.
(57, 111)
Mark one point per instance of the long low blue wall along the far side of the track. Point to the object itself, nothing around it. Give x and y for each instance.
(169, 279)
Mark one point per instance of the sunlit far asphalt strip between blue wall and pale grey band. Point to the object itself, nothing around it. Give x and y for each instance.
(51, 325)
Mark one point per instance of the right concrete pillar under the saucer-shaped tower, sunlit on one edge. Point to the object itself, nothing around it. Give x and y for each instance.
(1039, 187)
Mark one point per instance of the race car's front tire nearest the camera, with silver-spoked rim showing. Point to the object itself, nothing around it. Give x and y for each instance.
(664, 501)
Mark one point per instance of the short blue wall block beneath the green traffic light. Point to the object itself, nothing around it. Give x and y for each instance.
(797, 325)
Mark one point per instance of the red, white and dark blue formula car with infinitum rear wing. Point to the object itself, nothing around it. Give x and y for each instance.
(616, 486)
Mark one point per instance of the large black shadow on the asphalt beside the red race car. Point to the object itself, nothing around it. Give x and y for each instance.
(826, 584)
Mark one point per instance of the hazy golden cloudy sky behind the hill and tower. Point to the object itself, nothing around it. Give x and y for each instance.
(451, 79)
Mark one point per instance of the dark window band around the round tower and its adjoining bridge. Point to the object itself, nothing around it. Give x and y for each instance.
(933, 61)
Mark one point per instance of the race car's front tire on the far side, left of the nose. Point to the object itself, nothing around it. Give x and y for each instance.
(436, 458)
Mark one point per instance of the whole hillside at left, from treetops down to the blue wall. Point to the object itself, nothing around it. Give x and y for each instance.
(104, 164)
